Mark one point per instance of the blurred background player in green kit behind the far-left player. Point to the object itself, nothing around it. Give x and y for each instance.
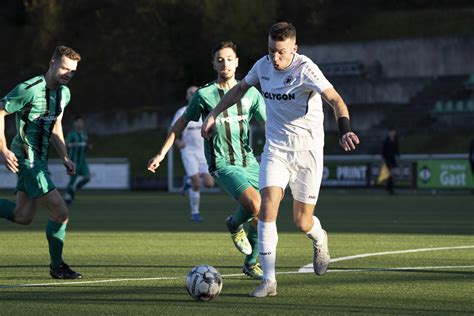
(77, 145)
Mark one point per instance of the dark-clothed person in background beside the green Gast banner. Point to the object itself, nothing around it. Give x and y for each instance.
(390, 155)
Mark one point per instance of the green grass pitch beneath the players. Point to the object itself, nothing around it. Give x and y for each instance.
(134, 249)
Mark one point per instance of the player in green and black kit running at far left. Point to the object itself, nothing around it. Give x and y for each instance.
(38, 105)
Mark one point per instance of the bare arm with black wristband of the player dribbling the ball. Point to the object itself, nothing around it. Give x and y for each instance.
(348, 139)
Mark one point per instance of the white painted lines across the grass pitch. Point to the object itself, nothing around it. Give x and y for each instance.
(306, 269)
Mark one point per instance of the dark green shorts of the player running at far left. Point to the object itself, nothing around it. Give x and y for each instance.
(34, 179)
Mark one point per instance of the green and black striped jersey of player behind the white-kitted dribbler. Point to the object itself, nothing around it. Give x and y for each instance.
(229, 144)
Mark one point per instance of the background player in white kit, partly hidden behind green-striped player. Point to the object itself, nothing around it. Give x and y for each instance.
(191, 146)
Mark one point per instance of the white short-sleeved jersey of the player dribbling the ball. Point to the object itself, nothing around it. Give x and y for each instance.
(293, 102)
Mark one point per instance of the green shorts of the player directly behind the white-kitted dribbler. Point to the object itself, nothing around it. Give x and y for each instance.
(236, 179)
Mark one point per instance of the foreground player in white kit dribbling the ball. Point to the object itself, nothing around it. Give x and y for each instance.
(292, 86)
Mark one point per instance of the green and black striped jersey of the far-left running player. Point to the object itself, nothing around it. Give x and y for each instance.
(36, 108)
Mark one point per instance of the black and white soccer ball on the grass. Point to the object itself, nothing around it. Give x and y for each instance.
(203, 283)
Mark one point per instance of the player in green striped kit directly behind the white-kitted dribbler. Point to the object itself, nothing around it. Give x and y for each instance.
(229, 157)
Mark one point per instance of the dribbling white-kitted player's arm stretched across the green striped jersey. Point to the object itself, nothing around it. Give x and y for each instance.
(231, 97)
